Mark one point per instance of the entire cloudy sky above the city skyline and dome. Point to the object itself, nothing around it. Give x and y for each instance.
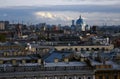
(94, 12)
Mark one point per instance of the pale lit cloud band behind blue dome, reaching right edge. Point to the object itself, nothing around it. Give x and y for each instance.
(90, 18)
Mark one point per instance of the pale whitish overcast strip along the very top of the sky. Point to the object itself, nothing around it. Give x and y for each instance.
(5, 3)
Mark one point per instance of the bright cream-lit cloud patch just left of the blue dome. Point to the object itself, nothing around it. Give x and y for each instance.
(53, 17)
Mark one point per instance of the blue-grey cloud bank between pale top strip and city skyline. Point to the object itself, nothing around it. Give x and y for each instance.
(63, 14)
